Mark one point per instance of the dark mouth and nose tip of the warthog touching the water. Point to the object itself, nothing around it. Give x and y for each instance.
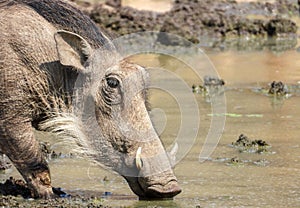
(153, 191)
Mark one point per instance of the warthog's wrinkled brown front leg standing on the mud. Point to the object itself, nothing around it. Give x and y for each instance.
(18, 143)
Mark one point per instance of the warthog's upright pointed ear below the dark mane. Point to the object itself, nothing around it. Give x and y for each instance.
(73, 50)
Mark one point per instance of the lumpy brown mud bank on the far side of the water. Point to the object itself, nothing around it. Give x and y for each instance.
(195, 19)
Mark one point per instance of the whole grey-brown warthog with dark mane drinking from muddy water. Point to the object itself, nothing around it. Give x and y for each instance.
(45, 46)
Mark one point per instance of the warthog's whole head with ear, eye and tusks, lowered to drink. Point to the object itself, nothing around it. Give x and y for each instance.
(123, 137)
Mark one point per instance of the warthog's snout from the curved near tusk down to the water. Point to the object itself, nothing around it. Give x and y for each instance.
(151, 175)
